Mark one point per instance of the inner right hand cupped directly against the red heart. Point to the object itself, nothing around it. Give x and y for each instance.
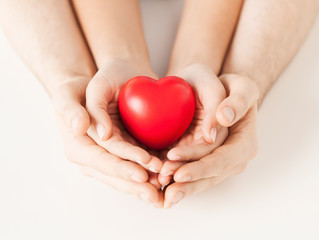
(204, 133)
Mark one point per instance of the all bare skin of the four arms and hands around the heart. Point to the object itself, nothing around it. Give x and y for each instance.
(259, 52)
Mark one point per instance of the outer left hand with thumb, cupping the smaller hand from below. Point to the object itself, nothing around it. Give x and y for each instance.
(95, 161)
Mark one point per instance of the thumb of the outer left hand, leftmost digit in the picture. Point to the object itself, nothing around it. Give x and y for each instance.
(67, 100)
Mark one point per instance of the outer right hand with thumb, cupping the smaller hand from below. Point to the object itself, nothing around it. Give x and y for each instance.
(232, 157)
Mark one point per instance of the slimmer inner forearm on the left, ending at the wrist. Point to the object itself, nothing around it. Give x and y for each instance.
(113, 29)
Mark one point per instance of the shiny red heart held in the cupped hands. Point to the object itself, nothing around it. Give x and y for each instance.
(157, 112)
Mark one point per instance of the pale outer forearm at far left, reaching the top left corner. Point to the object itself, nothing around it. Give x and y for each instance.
(46, 35)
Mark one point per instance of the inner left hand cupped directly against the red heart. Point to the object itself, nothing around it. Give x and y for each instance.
(106, 128)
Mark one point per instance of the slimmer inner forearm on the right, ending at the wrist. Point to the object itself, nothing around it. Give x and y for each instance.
(205, 32)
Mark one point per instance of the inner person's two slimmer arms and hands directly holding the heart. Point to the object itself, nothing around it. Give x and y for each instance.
(129, 43)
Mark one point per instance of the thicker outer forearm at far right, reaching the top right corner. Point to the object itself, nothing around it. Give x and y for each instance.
(268, 35)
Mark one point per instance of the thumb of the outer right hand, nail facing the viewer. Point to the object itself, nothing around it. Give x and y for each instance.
(243, 93)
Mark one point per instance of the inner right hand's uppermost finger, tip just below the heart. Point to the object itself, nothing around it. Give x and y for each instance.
(196, 151)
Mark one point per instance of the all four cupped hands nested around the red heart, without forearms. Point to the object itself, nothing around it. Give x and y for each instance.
(196, 162)
